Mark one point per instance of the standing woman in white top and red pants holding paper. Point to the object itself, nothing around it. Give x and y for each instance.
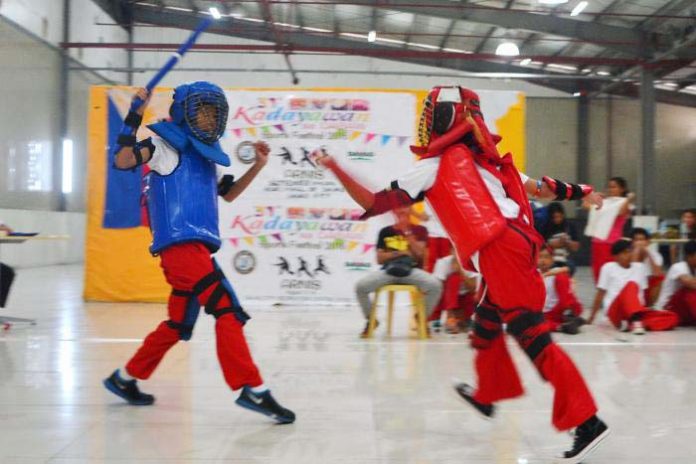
(614, 218)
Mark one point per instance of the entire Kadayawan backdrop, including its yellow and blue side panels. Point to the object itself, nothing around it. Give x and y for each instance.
(294, 236)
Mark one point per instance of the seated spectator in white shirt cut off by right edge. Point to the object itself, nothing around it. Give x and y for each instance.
(679, 289)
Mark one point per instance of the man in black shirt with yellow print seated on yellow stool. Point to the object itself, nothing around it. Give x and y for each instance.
(400, 251)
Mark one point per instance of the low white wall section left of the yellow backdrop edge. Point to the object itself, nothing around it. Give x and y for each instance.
(44, 252)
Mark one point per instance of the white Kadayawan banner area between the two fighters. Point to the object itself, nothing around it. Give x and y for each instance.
(293, 236)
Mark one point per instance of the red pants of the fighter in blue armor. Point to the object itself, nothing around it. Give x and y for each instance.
(184, 266)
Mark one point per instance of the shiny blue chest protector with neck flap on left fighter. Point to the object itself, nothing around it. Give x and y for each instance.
(183, 205)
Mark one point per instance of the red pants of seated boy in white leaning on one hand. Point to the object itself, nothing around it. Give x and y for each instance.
(627, 305)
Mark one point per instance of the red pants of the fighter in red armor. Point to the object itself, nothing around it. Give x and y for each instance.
(516, 289)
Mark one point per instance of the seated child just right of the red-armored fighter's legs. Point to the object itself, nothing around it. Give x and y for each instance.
(562, 309)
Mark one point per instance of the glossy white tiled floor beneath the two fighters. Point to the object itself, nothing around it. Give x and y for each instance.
(382, 401)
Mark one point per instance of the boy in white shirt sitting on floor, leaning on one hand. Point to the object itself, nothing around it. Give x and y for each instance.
(621, 289)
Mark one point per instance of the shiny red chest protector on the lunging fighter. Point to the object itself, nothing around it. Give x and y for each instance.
(463, 204)
